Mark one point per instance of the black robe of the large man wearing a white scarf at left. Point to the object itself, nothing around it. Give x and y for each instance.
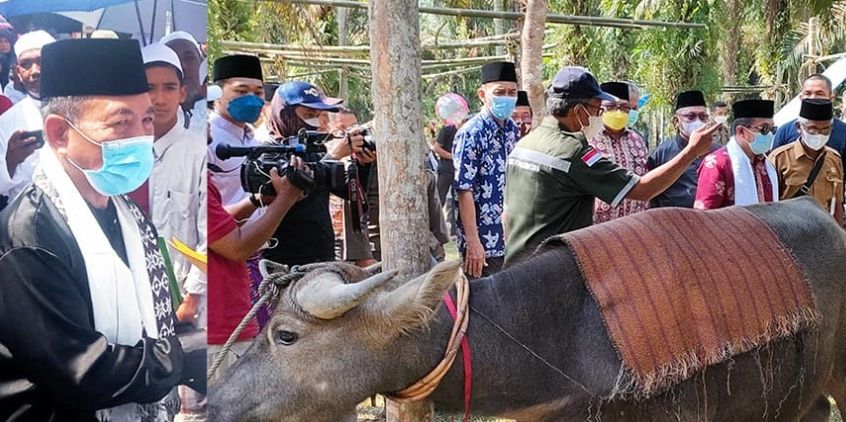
(53, 364)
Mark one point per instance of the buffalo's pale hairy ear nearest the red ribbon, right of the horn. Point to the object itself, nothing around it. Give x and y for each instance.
(413, 303)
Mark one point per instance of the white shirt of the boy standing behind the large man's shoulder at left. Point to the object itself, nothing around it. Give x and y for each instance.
(178, 201)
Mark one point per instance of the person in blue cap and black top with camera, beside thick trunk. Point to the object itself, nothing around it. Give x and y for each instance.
(305, 234)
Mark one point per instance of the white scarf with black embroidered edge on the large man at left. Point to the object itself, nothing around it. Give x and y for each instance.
(122, 297)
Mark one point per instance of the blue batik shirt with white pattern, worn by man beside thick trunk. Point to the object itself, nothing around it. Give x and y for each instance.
(480, 154)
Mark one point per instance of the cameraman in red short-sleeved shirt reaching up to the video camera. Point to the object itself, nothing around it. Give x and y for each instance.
(229, 248)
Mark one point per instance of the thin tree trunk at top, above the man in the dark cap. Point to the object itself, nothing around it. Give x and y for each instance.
(531, 56)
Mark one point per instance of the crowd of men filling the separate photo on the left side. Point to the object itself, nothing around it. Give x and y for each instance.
(104, 165)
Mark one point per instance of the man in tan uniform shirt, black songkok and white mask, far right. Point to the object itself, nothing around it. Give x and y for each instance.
(795, 163)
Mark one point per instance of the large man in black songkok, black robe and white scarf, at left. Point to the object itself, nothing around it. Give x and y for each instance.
(86, 322)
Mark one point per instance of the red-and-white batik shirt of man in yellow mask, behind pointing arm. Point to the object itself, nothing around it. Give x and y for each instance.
(627, 151)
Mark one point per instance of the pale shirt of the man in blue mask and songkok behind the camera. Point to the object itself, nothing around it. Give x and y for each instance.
(227, 174)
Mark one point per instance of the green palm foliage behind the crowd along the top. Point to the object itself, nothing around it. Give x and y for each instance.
(747, 42)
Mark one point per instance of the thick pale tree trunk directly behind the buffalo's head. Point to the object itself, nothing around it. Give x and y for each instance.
(398, 127)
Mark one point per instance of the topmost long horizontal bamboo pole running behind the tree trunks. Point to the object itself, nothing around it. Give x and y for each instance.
(554, 19)
